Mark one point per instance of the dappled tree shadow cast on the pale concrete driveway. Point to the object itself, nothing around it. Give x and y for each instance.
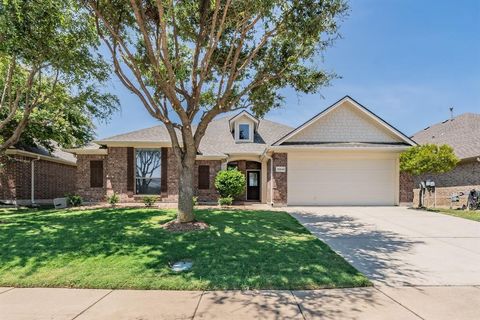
(376, 253)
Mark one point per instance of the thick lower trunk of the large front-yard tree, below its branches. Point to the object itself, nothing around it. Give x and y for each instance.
(185, 188)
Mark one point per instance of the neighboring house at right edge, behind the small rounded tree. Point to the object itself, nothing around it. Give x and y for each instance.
(462, 133)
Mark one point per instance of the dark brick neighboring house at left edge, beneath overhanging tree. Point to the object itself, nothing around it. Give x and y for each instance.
(33, 174)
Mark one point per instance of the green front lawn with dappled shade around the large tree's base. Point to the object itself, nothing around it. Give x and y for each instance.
(126, 248)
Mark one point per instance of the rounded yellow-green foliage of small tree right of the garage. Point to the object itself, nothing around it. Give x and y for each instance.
(428, 159)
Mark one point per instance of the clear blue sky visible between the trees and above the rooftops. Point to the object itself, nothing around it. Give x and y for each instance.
(406, 60)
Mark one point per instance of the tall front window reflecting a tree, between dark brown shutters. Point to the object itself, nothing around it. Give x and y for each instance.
(147, 171)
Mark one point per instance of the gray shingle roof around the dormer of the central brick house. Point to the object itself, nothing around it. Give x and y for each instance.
(218, 139)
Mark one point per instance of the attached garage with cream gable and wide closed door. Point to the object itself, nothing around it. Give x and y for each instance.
(345, 155)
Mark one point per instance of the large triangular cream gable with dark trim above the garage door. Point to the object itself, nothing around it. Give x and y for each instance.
(345, 121)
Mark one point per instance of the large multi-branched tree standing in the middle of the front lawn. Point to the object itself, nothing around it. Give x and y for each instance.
(189, 61)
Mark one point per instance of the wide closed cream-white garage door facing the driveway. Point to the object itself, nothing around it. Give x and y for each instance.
(329, 179)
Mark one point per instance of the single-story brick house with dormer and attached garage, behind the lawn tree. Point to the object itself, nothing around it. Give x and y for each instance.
(345, 155)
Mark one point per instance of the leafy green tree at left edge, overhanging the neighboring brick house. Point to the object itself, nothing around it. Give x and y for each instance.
(49, 74)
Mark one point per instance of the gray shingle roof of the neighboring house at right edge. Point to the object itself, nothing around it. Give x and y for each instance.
(462, 133)
